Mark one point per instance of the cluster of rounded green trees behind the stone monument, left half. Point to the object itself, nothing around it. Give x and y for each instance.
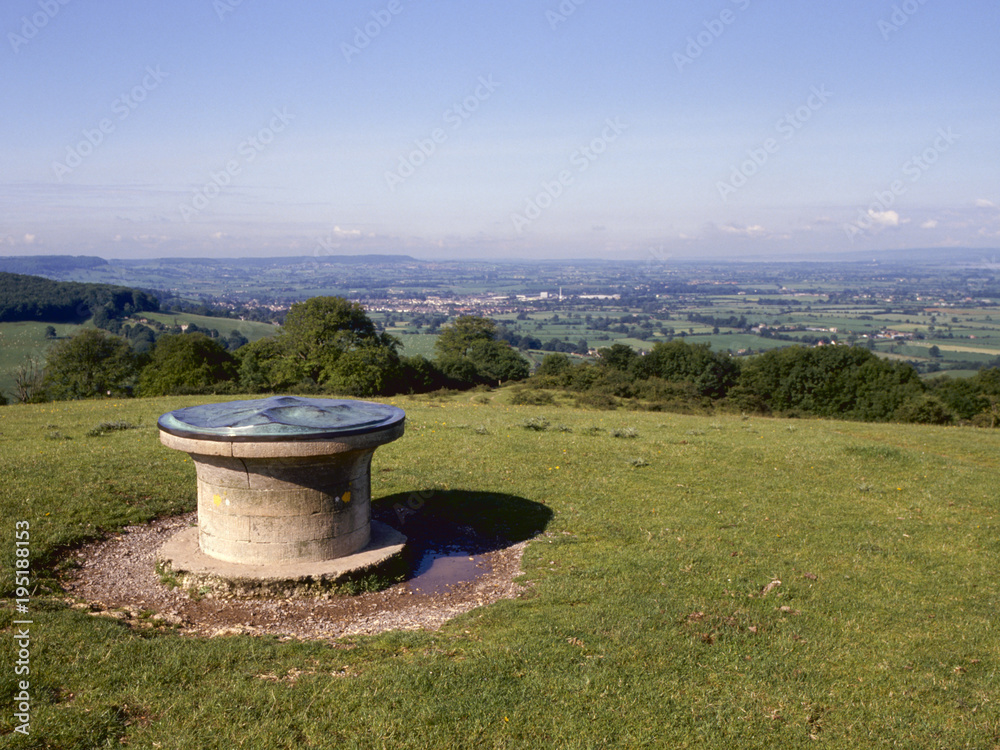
(327, 345)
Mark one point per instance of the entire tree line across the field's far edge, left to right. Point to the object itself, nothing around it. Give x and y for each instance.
(330, 345)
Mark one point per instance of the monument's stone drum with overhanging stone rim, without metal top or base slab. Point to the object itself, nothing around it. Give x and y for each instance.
(284, 502)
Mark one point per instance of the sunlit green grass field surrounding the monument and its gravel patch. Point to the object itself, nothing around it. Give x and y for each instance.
(644, 624)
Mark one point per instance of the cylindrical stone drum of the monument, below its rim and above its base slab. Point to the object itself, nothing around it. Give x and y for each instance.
(277, 510)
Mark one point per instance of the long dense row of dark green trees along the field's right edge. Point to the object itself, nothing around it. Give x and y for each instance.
(843, 382)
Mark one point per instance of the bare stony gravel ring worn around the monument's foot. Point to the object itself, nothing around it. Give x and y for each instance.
(117, 578)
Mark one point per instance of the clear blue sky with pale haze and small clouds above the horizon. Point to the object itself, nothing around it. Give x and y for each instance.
(548, 129)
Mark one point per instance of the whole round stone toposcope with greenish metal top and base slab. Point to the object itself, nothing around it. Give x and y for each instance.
(284, 492)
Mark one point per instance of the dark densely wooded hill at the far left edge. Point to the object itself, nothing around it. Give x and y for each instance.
(34, 298)
